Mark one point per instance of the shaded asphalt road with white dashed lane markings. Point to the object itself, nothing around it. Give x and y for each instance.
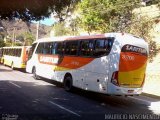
(23, 98)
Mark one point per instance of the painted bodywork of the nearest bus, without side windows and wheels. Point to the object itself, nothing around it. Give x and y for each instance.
(96, 73)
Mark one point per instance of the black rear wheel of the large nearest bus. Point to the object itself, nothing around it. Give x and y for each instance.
(68, 83)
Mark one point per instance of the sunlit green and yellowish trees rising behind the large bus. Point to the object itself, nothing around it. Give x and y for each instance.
(102, 16)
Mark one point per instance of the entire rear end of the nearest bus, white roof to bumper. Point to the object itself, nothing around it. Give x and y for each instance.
(132, 62)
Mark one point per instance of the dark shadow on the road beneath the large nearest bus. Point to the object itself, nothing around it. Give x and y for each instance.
(106, 100)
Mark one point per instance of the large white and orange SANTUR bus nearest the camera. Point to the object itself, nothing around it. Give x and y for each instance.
(111, 63)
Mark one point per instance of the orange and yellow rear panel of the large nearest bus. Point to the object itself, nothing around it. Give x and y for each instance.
(132, 68)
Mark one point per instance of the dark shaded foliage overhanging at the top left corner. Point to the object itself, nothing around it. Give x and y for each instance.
(28, 10)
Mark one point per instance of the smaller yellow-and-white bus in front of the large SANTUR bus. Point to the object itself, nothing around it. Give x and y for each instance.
(15, 57)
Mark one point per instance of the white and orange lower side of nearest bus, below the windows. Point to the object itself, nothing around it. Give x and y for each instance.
(85, 72)
